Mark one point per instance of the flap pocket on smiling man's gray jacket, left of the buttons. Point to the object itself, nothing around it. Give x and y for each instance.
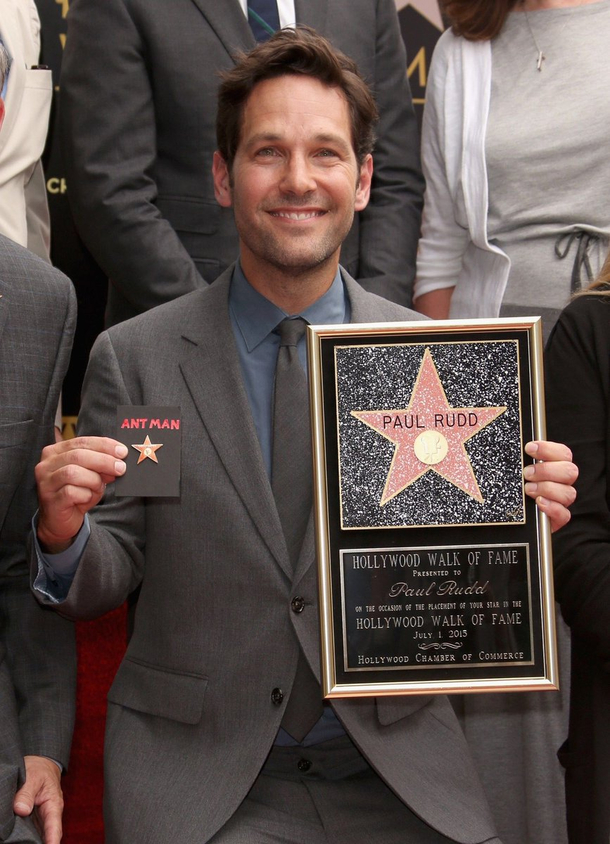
(159, 691)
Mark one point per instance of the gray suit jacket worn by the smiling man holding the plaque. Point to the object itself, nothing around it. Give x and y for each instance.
(191, 715)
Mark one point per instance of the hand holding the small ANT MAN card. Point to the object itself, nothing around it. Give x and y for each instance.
(71, 477)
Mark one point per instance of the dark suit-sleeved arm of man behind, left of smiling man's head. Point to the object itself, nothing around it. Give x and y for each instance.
(109, 144)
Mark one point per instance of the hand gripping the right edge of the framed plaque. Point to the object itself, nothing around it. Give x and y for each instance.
(550, 480)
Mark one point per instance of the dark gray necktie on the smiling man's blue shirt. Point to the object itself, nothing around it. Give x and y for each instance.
(291, 481)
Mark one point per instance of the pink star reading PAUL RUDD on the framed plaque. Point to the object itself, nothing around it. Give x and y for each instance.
(429, 435)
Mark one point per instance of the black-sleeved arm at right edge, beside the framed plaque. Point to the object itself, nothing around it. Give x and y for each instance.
(578, 403)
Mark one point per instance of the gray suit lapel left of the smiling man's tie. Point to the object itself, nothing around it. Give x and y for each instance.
(210, 366)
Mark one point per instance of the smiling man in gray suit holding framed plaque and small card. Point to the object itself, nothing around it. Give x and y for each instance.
(206, 740)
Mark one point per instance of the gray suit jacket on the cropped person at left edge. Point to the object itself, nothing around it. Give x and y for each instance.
(37, 653)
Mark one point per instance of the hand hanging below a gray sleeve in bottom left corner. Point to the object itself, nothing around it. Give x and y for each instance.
(41, 793)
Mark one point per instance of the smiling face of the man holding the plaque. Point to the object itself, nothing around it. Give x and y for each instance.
(295, 182)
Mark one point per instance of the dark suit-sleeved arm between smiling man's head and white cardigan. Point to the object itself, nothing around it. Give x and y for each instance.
(390, 225)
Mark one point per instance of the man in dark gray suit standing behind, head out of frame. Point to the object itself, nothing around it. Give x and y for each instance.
(138, 141)
